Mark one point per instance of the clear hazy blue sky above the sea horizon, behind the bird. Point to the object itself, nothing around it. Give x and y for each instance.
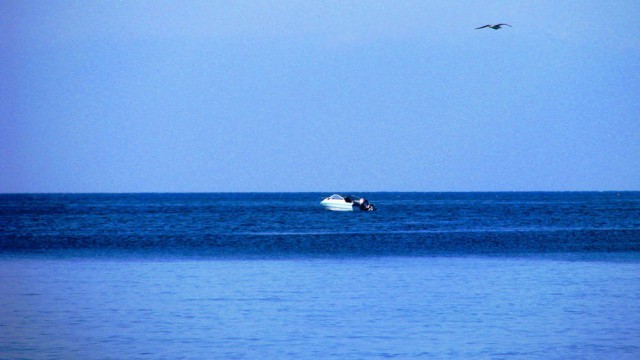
(191, 96)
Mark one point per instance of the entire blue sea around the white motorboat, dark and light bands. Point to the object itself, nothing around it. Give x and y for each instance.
(499, 275)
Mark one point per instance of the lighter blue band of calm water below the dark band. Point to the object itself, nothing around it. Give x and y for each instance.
(320, 308)
